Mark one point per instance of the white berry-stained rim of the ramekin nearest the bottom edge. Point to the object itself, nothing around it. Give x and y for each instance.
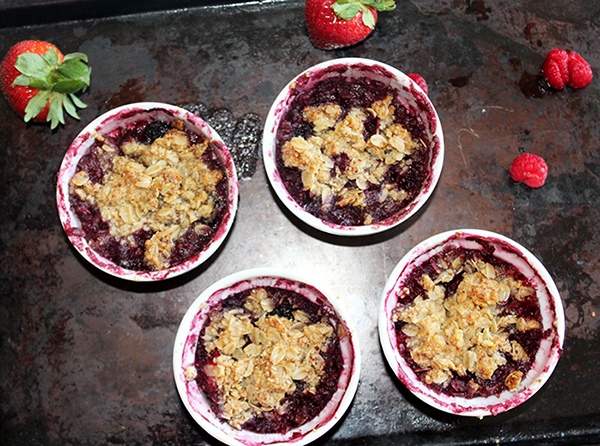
(185, 347)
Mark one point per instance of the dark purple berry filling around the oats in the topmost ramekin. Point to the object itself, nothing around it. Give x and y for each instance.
(351, 93)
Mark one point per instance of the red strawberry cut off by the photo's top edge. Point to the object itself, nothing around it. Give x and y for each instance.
(335, 24)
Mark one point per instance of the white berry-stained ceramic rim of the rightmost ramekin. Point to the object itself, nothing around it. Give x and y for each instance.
(548, 354)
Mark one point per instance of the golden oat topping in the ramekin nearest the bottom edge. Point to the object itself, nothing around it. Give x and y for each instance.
(261, 358)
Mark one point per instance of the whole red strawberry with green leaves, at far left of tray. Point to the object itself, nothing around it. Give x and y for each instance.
(38, 81)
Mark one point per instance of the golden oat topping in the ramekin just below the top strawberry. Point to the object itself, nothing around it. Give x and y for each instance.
(366, 162)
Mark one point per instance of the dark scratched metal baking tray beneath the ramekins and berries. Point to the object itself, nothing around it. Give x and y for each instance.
(85, 359)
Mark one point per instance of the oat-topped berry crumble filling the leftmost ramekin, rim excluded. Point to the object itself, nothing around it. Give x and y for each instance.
(150, 195)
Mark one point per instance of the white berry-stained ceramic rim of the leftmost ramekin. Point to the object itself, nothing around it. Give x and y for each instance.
(80, 147)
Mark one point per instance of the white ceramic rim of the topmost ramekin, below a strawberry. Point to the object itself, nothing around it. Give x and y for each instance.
(269, 142)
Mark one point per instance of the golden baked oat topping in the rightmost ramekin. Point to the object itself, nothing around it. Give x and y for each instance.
(467, 331)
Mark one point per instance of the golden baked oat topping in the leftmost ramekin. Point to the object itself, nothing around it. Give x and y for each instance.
(164, 188)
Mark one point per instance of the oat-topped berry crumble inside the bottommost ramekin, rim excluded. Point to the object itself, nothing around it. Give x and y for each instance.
(268, 359)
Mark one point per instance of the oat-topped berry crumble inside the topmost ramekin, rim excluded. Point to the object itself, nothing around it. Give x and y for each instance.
(350, 152)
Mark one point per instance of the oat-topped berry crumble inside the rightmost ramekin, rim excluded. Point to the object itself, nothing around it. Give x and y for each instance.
(468, 323)
